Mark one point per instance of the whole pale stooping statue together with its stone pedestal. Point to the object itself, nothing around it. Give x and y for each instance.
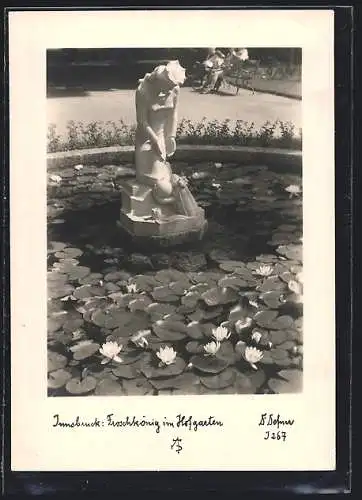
(159, 204)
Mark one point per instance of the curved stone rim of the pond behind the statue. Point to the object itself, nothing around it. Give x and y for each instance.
(283, 159)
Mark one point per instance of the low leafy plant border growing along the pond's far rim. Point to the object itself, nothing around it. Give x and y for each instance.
(102, 134)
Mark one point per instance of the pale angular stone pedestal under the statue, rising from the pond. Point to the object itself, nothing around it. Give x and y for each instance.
(138, 218)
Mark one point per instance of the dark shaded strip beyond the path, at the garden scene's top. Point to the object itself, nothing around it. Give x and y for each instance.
(122, 67)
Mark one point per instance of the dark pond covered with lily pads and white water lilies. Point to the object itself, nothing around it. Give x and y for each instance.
(222, 316)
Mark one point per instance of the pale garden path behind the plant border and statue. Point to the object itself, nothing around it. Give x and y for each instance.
(113, 105)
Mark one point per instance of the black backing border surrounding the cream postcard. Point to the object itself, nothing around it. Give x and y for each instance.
(324, 481)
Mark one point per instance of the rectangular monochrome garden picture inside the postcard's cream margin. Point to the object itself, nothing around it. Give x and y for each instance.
(174, 221)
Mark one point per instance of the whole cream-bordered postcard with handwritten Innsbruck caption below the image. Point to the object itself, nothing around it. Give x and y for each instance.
(172, 236)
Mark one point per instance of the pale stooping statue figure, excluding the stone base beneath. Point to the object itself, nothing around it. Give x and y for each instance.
(156, 108)
